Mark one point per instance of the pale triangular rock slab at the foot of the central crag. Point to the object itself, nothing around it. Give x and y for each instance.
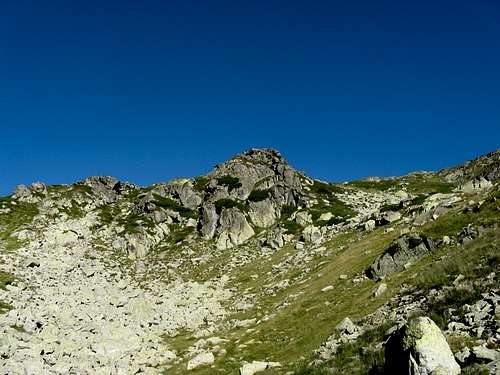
(234, 229)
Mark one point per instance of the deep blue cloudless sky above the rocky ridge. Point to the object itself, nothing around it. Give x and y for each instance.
(151, 90)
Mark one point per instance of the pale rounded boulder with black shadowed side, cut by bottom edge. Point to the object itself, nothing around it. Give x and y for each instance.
(419, 348)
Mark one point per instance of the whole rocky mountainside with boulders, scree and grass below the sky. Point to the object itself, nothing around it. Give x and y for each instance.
(254, 268)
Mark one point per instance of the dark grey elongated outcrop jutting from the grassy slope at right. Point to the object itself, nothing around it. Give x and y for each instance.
(404, 250)
